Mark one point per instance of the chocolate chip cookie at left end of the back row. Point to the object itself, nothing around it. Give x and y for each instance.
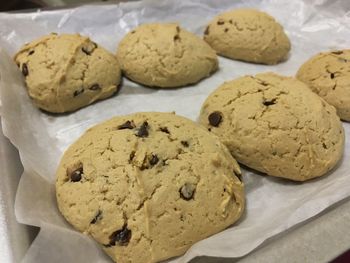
(66, 72)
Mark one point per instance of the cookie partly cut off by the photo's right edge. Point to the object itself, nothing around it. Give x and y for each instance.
(328, 75)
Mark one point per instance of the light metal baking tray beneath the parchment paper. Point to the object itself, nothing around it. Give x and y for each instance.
(318, 240)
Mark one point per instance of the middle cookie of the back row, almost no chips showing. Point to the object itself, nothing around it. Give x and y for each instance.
(165, 56)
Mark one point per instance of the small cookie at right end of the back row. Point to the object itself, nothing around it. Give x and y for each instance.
(249, 35)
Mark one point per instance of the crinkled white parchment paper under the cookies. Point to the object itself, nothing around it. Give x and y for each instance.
(273, 205)
